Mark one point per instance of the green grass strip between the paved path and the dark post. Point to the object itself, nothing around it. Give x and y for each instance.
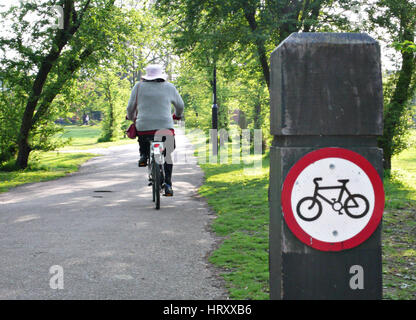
(240, 200)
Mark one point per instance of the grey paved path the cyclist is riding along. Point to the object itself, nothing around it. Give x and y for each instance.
(100, 226)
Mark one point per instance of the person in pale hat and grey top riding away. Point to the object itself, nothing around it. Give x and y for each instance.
(150, 107)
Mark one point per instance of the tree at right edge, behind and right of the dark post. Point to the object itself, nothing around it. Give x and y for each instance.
(397, 20)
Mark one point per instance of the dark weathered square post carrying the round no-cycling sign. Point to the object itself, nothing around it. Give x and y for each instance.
(326, 91)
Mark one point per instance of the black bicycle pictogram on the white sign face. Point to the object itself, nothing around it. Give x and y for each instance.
(355, 205)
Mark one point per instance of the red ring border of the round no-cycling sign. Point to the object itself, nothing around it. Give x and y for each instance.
(372, 174)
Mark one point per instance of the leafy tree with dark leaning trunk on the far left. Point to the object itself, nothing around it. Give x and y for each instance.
(46, 59)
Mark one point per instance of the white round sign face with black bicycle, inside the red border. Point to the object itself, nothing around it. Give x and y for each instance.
(332, 200)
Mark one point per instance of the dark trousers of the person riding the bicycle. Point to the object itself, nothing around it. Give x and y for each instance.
(170, 145)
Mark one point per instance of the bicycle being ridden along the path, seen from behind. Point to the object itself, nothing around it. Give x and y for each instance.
(155, 170)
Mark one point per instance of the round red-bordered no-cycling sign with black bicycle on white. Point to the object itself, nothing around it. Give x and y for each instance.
(332, 199)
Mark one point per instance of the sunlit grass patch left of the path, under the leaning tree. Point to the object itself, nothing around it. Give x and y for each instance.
(48, 166)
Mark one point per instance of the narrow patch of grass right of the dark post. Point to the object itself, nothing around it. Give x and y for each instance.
(399, 227)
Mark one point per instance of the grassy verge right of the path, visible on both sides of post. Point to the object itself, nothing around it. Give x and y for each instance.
(241, 203)
